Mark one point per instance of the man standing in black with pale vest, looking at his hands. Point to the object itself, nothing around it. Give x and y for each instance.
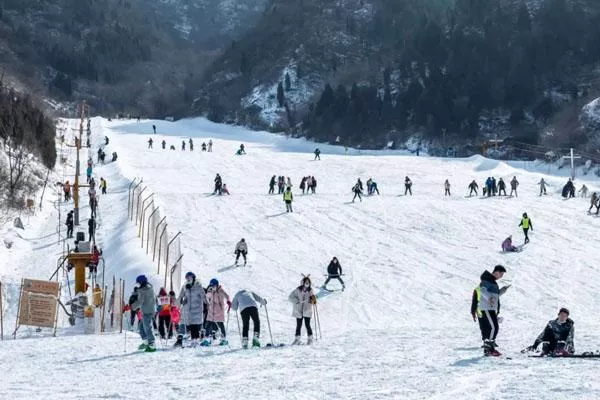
(485, 306)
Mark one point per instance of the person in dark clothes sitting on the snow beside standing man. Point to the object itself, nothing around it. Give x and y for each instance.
(557, 337)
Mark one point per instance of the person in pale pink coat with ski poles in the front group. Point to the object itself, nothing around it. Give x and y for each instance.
(215, 317)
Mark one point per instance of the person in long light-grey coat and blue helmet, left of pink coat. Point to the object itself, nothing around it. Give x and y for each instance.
(192, 300)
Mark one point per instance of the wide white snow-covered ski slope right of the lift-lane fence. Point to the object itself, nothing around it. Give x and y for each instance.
(402, 328)
